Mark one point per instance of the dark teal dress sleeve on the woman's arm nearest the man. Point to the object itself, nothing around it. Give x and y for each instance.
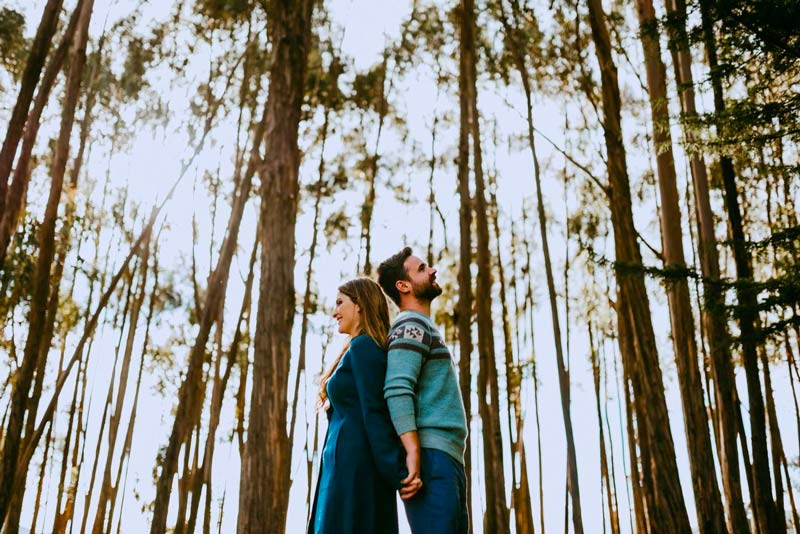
(369, 369)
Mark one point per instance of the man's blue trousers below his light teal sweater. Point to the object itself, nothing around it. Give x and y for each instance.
(440, 507)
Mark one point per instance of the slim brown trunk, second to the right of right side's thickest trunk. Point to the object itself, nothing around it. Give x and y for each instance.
(713, 318)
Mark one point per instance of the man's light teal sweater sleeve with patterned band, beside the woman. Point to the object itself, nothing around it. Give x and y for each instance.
(409, 344)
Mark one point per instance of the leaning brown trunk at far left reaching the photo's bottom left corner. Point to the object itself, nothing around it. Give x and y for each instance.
(38, 307)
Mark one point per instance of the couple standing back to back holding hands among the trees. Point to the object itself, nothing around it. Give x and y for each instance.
(391, 382)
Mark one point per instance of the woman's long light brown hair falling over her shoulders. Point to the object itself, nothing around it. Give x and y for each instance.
(373, 321)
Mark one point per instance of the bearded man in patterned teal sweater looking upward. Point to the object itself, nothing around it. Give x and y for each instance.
(424, 400)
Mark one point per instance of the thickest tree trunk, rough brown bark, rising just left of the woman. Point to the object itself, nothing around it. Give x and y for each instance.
(264, 485)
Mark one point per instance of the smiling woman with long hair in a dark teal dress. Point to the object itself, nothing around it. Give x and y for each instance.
(362, 463)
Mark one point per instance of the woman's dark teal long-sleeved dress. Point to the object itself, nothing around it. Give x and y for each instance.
(362, 459)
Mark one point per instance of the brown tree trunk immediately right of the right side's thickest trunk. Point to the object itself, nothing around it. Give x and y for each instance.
(708, 502)
